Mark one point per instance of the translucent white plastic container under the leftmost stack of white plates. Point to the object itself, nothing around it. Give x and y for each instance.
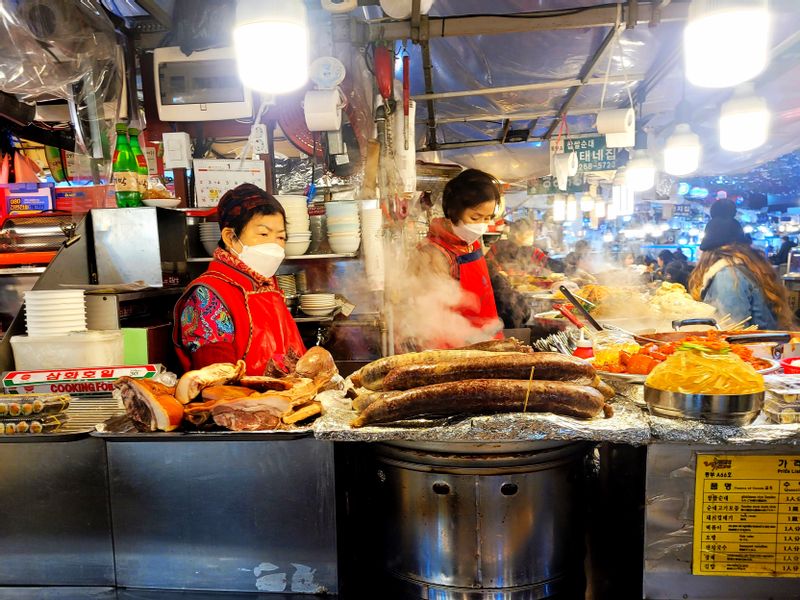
(69, 351)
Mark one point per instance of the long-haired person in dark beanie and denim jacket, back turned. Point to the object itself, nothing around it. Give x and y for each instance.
(736, 279)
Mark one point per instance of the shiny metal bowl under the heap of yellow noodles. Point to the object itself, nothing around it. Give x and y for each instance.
(719, 409)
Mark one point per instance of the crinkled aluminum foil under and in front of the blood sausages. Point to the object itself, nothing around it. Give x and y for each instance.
(627, 426)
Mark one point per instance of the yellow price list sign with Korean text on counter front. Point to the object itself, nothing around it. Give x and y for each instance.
(747, 516)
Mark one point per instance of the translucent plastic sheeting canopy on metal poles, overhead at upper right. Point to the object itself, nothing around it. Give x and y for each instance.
(485, 86)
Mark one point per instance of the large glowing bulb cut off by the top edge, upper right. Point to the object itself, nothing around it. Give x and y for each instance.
(713, 62)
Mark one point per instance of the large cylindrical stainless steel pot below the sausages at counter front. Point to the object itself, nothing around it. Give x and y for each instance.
(479, 521)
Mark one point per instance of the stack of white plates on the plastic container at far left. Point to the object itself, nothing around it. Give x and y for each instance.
(54, 312)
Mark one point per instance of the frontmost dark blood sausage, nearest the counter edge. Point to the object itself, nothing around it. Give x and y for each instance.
(482, 396)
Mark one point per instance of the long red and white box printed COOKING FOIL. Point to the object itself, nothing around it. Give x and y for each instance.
(79, 382)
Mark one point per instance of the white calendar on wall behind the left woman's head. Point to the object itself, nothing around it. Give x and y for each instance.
(212, 178)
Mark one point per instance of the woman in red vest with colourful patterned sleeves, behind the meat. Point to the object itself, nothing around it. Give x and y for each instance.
(235, 310)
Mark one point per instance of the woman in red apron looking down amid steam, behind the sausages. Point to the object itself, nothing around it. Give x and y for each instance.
(454, 244)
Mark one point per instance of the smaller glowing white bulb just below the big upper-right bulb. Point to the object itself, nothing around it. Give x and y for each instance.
(743, 121)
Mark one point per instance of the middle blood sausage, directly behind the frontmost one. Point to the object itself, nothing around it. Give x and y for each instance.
(550, 366)
